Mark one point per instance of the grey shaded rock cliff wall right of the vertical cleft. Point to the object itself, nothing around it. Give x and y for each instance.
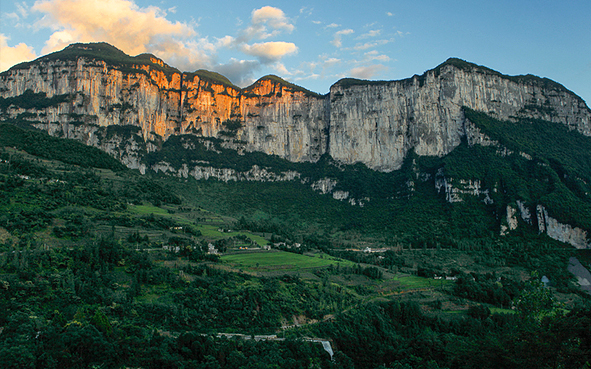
(378, 123)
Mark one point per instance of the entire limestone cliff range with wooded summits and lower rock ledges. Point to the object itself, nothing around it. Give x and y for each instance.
(133, 107)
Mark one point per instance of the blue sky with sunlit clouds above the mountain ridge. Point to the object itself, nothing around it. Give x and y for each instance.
(314, 44)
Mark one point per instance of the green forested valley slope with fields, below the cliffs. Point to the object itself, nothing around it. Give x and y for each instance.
(101, 267)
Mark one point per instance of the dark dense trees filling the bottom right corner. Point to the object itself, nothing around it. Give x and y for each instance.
(399, 335)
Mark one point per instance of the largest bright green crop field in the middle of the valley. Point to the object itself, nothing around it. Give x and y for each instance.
(281, 260)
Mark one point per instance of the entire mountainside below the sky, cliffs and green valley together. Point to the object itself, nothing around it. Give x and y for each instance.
(155, 218)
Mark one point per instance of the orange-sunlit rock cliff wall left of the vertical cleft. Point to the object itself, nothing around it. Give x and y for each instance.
(271, 117)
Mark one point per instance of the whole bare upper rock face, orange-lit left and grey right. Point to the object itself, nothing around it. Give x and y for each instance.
(375, 123)
